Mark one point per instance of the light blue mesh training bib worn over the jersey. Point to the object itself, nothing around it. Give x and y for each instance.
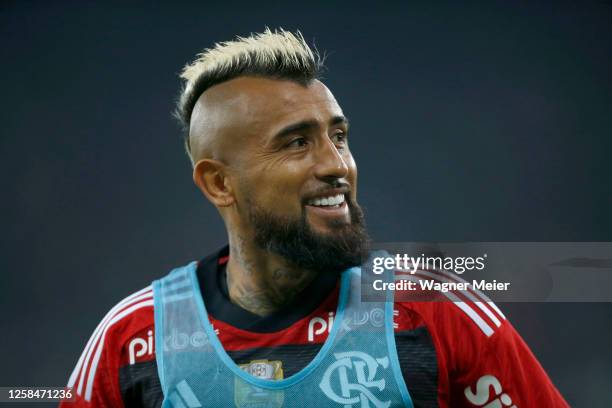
(356, 367)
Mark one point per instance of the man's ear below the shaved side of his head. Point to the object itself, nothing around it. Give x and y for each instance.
(212, 179)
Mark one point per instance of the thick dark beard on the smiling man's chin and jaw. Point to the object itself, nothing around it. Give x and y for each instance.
(295, 241)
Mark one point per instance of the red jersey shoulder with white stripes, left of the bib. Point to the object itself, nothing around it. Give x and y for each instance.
(96, 371)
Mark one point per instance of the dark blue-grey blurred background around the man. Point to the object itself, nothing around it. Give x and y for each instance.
(469, 123)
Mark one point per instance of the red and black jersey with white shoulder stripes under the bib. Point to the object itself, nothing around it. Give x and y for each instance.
(459, 353)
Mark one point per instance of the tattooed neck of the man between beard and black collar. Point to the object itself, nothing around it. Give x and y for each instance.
(261, 282)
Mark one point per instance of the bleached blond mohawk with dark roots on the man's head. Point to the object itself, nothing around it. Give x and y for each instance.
(277, 54)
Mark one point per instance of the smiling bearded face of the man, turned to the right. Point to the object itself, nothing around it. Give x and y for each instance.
(294, 177)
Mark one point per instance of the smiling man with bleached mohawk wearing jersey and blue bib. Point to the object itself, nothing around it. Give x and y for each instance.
(252, 324)
